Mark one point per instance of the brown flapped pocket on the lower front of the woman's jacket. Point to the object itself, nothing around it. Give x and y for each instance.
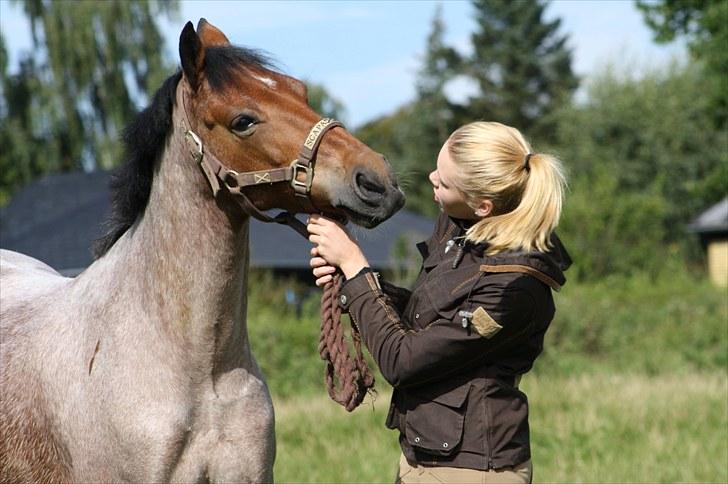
(435, 424)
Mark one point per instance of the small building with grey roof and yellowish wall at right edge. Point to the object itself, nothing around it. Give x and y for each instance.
(712, 227)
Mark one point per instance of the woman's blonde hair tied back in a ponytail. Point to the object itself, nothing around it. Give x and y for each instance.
(527, 191)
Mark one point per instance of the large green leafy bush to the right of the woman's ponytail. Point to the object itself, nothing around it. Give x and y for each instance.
(644, 159)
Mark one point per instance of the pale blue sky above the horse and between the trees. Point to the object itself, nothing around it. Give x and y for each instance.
(367, 53)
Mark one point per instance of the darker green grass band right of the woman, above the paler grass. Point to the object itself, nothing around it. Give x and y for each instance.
(664, 323)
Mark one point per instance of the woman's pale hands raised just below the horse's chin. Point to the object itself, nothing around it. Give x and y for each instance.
(335, 246)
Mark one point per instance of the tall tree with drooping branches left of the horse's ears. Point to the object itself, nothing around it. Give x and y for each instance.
(92, 65)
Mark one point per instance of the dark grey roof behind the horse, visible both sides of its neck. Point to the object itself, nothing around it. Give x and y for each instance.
(57, 218)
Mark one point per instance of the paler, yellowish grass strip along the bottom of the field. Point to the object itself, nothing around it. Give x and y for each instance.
(590, 428)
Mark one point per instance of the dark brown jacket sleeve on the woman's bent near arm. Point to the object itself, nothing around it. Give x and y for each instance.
(407, 357)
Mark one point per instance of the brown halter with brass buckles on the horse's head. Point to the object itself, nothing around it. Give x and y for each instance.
(299, 173)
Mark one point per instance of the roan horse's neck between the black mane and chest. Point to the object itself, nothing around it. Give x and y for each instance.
(191, 260)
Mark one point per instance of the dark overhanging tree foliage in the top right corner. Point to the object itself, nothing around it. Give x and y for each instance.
(705, 25)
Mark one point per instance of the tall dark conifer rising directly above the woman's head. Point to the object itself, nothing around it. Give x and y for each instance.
(521, 64)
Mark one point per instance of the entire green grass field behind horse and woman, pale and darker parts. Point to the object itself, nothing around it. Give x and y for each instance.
(632, 387)
